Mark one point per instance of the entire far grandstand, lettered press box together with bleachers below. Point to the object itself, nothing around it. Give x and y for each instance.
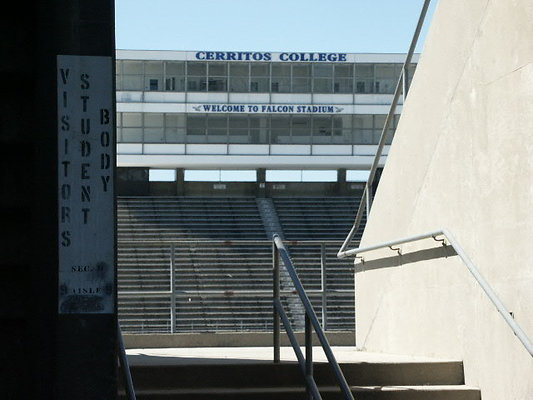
(218, 146)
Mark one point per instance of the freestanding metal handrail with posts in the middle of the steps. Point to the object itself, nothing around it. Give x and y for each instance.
(311, 321)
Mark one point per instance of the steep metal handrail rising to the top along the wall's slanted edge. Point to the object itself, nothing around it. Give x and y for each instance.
(400, 86)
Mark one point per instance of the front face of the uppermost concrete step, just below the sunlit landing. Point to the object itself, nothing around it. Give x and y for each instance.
(267, 374)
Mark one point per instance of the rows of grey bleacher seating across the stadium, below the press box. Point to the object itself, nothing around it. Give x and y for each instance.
(203, 240)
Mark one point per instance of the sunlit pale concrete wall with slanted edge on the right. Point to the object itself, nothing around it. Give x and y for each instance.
(462, 159)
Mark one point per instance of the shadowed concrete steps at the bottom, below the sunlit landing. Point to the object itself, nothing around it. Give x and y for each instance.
(262, 380)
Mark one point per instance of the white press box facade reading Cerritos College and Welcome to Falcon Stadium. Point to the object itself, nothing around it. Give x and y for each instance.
(251, 110)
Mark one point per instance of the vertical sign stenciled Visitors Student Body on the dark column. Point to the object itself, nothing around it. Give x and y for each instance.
(86, 158)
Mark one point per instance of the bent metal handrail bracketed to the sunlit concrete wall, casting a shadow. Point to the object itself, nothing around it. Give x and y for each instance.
(517, 330)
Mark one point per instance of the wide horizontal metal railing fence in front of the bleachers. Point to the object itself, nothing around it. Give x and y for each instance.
(235, 289)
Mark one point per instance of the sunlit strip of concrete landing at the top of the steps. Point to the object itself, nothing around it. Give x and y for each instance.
(232, 355)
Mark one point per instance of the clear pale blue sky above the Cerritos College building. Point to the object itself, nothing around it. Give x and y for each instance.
(352, 26)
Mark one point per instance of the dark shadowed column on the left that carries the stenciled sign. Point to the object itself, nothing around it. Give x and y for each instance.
(50, 355)
